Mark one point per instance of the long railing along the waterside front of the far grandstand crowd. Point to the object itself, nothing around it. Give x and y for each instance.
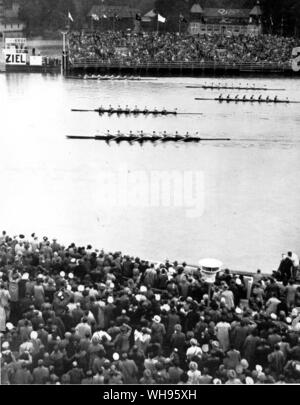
(257, 66)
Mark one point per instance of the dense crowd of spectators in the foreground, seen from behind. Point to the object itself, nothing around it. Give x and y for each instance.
(77, 315)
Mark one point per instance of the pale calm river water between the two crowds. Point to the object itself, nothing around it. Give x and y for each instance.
(250, 186)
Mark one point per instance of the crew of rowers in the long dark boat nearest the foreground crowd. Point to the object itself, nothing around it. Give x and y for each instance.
(140, 135)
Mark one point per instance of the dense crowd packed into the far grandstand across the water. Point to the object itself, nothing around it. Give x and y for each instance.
(132, 48)
